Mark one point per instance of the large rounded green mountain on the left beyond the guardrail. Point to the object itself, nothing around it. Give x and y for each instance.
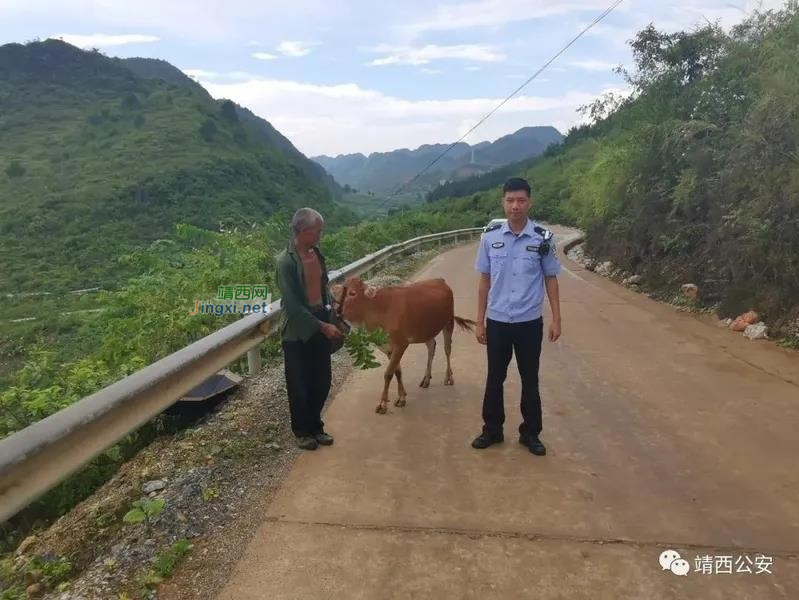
(103, 155)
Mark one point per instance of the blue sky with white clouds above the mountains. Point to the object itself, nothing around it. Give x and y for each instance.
(364, 76)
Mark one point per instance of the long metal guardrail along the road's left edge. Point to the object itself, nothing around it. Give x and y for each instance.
(37, 458)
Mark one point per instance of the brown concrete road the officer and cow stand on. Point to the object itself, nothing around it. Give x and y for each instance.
(663, 432)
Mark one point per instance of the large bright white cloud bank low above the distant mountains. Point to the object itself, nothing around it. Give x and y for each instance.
(322, 118)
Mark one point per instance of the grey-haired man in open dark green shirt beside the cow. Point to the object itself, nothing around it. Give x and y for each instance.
(305, 328)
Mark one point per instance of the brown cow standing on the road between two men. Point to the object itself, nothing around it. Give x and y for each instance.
(414, 313)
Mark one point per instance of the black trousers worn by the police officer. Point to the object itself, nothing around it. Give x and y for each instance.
(502, 340)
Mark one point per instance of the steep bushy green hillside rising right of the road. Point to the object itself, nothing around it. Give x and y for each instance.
(694, 178)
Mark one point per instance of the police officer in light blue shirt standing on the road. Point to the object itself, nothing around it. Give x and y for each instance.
(517, 262)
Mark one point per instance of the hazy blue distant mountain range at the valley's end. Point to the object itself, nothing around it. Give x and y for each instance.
(384, 172)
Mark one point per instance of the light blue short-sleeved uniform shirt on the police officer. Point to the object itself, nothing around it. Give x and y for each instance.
(517, 272)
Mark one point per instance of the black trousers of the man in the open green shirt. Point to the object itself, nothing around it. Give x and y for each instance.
(307, 366)
